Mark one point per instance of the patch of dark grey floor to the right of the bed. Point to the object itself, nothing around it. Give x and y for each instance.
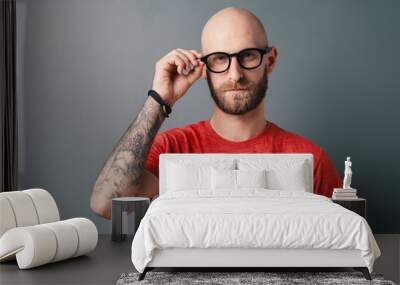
(389, 262)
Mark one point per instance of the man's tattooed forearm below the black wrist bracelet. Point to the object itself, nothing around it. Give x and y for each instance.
(122, 173)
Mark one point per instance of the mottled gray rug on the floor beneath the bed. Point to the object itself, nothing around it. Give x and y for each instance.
(229, 278)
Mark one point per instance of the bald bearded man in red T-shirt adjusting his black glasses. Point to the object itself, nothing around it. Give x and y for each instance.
(235, 60)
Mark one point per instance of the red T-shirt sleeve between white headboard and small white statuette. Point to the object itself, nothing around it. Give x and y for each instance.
(326, 176)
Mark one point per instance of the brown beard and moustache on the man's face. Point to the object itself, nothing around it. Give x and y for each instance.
(245, 101)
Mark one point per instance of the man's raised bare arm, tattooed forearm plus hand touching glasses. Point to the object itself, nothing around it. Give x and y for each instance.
(122, 174)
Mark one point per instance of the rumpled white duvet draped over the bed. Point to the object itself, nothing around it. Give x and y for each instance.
(251, 218)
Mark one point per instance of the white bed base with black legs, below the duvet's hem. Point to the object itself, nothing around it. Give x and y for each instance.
(251, 259)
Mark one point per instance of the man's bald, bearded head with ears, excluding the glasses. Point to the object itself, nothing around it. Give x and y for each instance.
(237, 91)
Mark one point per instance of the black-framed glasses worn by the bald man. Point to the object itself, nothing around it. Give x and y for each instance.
(248, 58)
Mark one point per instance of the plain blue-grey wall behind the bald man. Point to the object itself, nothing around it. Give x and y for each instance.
(84, 68)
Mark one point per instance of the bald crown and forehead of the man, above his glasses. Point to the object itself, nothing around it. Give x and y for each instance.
(233, 29)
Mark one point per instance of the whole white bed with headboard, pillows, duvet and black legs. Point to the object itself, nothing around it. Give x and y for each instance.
(247, 211)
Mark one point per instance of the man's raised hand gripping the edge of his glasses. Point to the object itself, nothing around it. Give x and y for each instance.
(176, 72)
